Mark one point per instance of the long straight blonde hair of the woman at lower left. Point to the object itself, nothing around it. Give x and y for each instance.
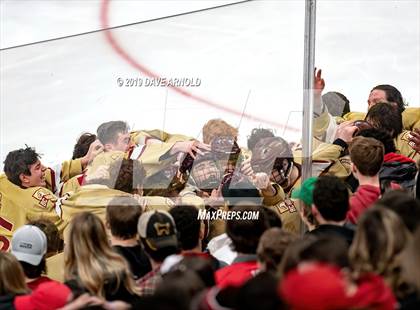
(89, 258)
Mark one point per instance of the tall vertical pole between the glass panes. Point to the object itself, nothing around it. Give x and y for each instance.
(308, 81)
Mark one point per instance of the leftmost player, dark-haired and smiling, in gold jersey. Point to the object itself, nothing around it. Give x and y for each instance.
(23, 192)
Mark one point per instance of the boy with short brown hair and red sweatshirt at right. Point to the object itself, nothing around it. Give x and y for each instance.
(367, 156)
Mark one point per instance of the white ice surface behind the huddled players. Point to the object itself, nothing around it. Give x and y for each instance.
(53, 91)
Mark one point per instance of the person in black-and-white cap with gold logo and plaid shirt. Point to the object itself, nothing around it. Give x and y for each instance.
(158, 235)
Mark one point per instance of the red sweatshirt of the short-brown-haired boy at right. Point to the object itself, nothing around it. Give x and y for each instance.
(363, 198)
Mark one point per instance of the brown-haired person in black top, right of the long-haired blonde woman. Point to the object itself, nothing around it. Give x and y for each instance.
(122, 216)
